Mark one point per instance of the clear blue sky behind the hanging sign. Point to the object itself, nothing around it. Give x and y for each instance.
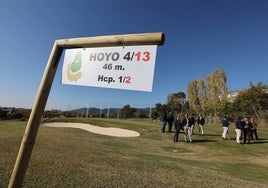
(201, 35)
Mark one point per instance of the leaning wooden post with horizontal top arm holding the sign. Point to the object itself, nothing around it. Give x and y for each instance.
(33, 124)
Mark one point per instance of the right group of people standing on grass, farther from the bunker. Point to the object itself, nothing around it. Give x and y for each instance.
(245, 129)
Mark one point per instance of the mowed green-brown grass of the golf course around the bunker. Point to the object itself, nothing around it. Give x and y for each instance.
(69, 157)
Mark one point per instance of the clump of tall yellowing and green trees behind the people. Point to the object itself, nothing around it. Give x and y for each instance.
(210, 96)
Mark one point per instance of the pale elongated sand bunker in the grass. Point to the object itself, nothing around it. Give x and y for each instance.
(109, 131)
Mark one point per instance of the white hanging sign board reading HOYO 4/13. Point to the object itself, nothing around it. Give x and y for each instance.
(128, 67)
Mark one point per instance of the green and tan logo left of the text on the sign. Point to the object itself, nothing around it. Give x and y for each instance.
(73, 69)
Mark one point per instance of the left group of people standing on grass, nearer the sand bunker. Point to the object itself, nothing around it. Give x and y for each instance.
(186, 124)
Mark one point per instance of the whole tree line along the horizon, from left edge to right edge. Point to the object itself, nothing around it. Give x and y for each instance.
(207, 96)
